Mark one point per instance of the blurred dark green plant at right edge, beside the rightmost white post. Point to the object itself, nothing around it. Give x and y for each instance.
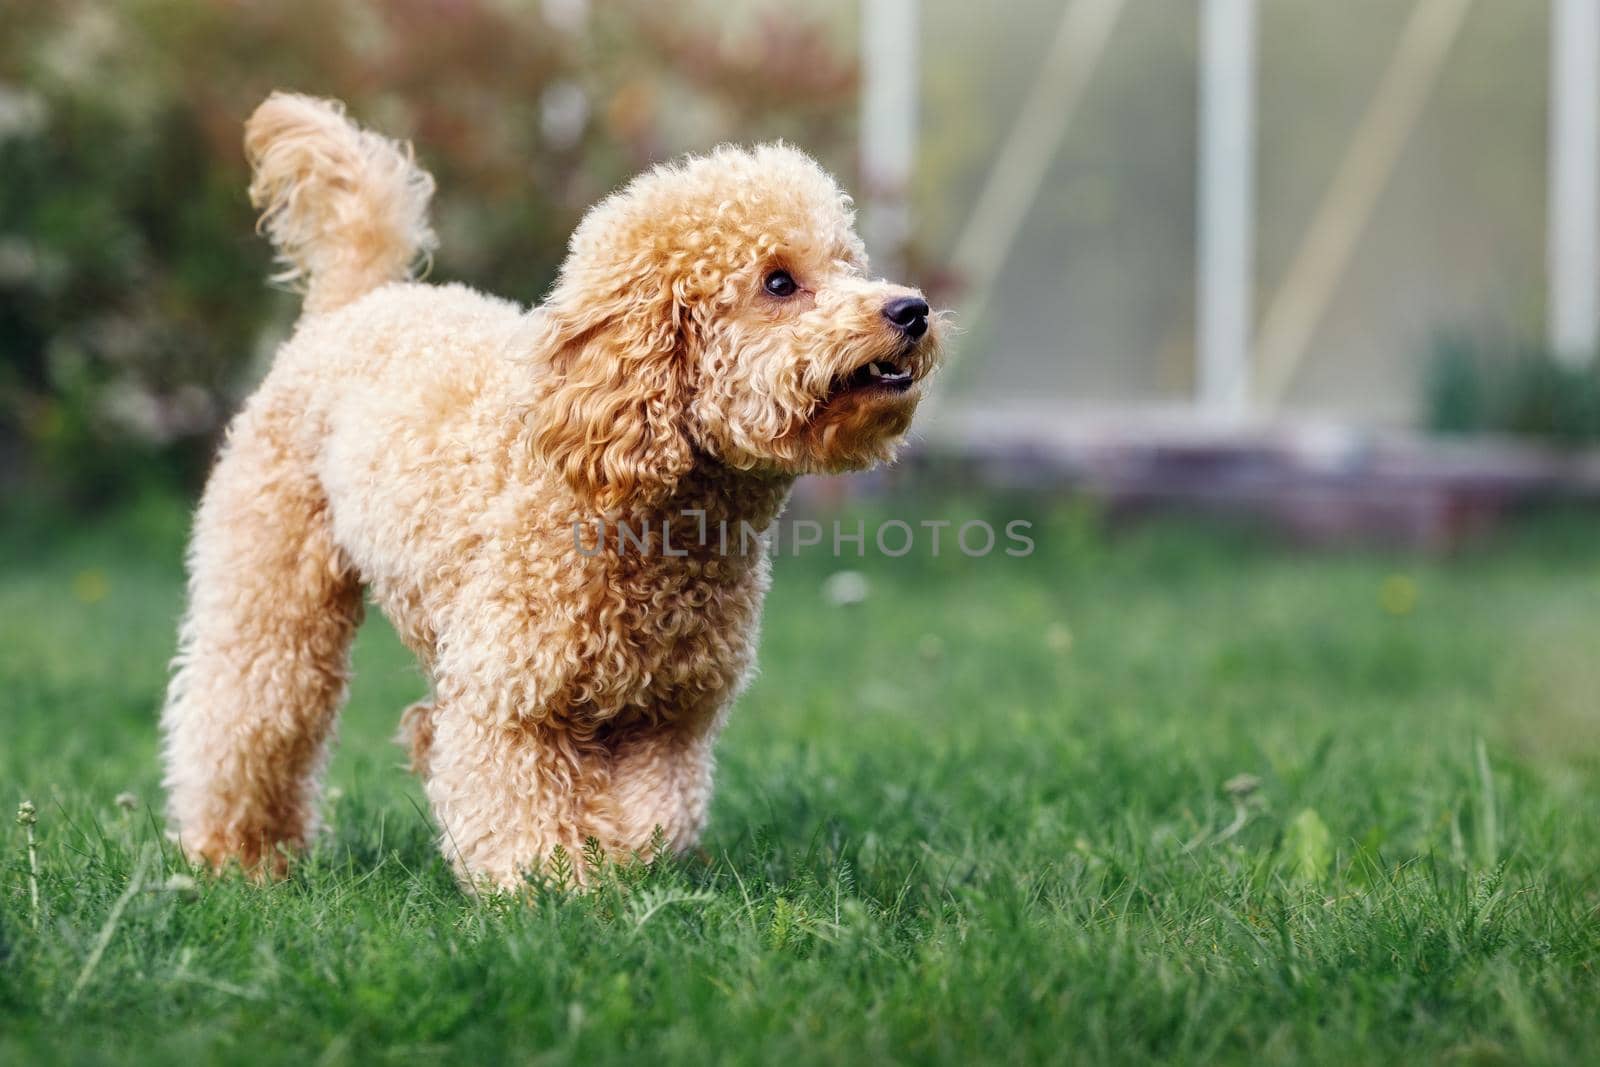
(1476, 388)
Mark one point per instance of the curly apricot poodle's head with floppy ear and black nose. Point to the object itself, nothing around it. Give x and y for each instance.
(722, 308)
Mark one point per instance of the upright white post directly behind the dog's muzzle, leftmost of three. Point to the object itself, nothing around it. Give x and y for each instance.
(889, 129)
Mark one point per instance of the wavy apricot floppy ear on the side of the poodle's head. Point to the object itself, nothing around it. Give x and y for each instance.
(610, 415)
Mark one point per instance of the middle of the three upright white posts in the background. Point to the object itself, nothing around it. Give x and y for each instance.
(1226, 207)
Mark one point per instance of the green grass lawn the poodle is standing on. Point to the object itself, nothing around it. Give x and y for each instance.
(980, 817)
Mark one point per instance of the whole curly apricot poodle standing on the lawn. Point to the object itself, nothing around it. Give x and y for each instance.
(436, 449)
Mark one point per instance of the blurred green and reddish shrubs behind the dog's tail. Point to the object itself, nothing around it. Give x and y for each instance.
(134, 310)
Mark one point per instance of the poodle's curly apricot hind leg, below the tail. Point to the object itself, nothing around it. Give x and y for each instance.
(263, 653)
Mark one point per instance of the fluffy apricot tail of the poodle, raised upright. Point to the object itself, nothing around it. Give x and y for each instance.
(345, 207)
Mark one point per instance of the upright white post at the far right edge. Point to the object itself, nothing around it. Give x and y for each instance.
(1574, 242)
